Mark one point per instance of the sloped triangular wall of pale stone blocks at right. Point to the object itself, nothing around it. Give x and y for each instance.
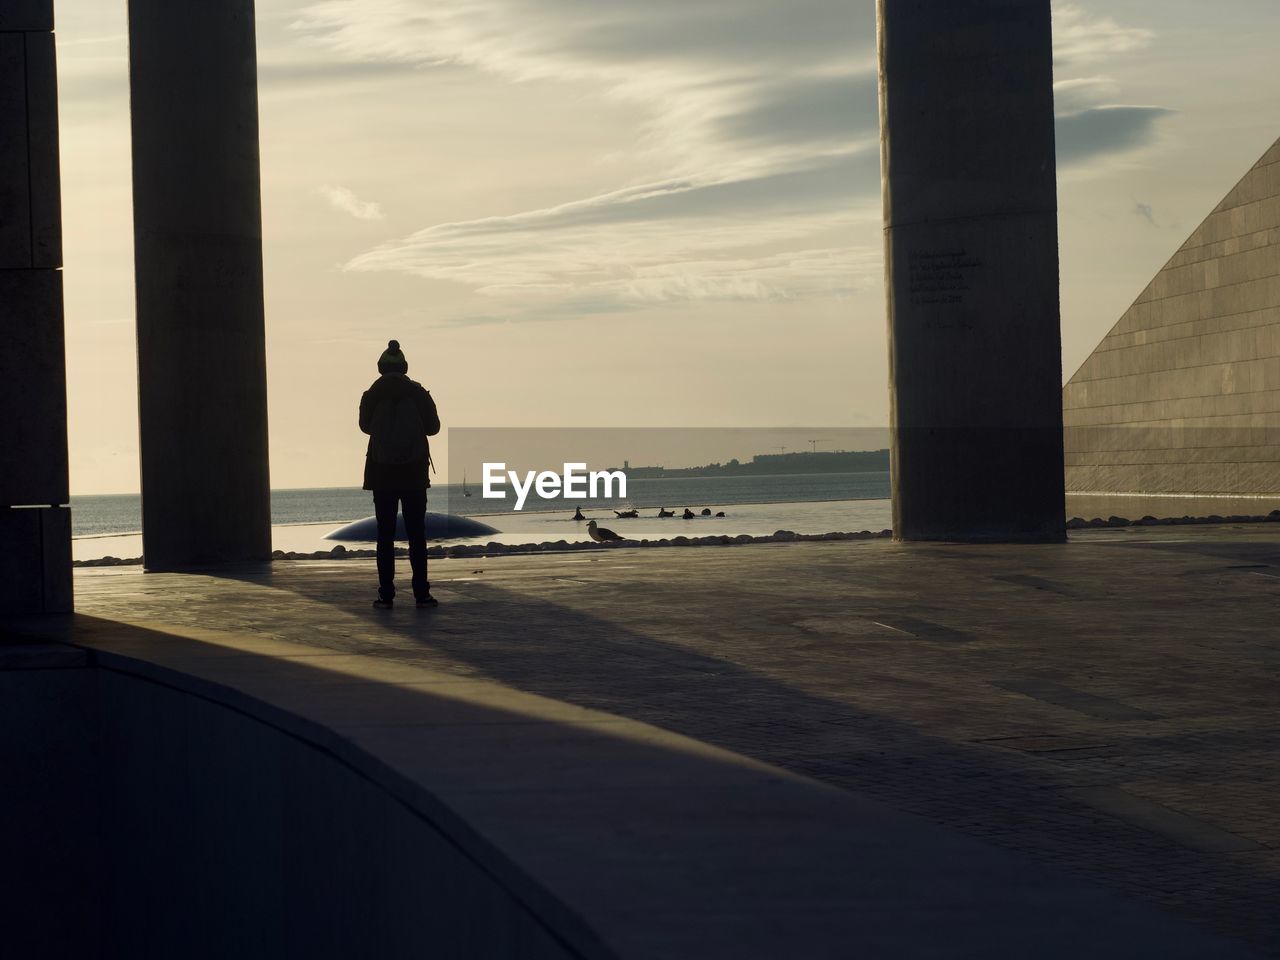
(1183, 395)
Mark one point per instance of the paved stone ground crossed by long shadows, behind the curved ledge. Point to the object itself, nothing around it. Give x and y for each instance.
(1109, 706)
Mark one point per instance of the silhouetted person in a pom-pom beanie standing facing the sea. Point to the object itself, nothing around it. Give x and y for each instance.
(399, 415)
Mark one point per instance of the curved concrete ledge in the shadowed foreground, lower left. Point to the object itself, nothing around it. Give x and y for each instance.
(208, 794)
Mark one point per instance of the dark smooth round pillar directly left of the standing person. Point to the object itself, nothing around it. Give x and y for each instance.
(199, 269)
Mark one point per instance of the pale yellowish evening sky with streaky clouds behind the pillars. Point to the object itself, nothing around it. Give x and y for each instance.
(619, 213)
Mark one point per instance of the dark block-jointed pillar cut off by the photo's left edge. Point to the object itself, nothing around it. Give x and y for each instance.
(35, 522)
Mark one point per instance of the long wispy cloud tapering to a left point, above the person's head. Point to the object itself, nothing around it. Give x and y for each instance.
(662, 243)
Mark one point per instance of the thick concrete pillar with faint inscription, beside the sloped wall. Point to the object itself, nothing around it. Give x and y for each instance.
(971, 239)
